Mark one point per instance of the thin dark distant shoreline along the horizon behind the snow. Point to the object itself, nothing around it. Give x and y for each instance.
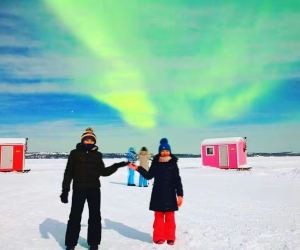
(61, 155)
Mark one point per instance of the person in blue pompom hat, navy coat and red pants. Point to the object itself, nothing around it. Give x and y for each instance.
(167, 192)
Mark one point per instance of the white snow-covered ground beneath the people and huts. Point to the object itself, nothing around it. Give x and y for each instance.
(222, 209)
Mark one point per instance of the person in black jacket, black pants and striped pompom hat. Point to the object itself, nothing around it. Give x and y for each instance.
(84, 167)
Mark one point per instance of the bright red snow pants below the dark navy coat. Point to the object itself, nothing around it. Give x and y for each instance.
(164, 226)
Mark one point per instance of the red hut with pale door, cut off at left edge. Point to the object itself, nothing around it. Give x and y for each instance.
(12, 154)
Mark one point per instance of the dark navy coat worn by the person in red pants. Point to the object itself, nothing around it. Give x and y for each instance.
(167, 184)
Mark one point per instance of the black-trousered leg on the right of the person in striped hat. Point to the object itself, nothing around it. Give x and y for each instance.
(94, 223)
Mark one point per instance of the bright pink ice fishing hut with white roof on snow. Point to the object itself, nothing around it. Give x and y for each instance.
(226, 153)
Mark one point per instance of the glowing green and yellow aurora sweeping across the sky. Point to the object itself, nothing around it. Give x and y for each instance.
(192, 63)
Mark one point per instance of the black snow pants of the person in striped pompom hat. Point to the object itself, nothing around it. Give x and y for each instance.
(93, 197)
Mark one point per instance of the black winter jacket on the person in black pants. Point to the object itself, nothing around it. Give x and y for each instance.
(84, 168)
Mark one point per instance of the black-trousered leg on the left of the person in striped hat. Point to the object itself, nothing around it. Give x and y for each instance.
(73, 227)
